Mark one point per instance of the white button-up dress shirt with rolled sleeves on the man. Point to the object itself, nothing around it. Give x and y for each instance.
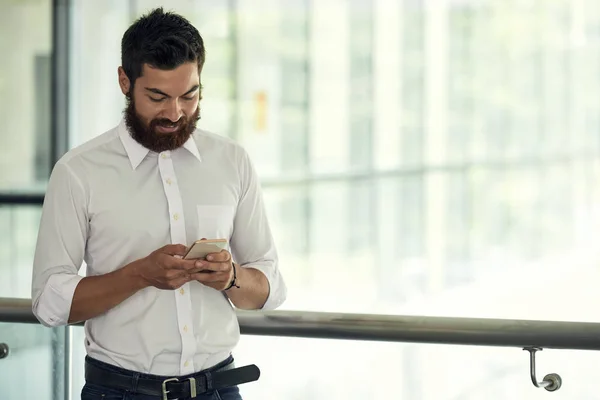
(111, 201)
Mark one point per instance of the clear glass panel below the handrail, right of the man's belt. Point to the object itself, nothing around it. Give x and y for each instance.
(299, 369)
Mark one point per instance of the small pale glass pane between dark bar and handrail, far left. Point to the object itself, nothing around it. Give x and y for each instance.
(18, 234)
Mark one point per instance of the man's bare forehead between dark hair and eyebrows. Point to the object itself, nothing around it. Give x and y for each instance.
(180, 78)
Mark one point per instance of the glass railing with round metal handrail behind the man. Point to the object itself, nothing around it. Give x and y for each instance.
(374, 356)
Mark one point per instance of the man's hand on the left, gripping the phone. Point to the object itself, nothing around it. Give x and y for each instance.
(163, 269)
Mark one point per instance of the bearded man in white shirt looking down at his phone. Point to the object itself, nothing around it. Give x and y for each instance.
(129, 203)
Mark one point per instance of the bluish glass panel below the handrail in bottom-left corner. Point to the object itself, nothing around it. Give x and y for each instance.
(34, 368)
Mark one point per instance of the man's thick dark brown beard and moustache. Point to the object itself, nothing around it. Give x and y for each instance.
(147, 134)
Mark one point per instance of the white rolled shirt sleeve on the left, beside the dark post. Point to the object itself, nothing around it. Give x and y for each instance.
(60, 247)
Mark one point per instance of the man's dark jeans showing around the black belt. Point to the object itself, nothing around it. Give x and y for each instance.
(97, 392)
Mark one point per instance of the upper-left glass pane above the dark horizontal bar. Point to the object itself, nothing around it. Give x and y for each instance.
(25, 37)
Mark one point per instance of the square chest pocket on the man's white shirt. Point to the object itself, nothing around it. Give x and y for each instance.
(215, 221)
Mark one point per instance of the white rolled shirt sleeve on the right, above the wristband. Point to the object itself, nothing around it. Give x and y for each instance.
(252, 243)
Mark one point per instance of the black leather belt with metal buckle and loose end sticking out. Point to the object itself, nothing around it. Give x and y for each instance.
(176, 387)
